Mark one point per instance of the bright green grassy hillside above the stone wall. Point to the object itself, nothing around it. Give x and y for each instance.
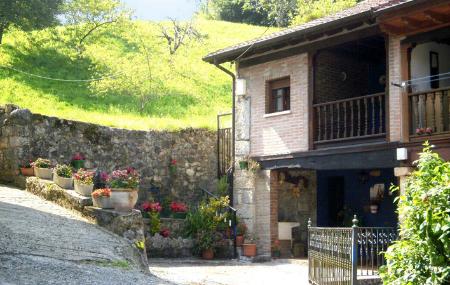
(182, 91)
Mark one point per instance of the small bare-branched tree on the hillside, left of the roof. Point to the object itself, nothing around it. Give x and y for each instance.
(177, 34)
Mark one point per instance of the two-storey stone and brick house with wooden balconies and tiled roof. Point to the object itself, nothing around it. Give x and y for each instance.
(335, 111)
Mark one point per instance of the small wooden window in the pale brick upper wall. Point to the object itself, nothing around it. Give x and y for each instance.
(278, 95)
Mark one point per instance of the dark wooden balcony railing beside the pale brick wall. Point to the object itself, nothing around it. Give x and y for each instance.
(357, 117)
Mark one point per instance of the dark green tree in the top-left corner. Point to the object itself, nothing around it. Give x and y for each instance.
(27, 15)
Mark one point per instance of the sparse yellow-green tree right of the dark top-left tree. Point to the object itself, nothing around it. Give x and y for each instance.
(86, 16)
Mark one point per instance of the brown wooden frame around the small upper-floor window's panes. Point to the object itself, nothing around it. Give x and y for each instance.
(271, 97)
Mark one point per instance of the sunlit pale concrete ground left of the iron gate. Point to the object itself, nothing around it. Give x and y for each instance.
(226, 272)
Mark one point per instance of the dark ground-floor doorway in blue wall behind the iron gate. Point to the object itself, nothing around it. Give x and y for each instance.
(336, 196)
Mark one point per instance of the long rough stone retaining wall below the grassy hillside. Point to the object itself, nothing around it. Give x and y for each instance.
(24, 135)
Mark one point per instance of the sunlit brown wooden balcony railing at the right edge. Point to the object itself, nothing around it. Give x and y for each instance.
(429, 112)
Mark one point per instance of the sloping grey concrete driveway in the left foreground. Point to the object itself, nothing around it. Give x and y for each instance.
(43, 243)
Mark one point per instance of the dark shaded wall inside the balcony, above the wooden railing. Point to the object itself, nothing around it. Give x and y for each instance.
(328, 83)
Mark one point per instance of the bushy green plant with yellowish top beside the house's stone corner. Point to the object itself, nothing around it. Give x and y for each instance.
(203, 223)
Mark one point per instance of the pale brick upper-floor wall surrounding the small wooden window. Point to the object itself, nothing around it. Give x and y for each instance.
(283, 133)
